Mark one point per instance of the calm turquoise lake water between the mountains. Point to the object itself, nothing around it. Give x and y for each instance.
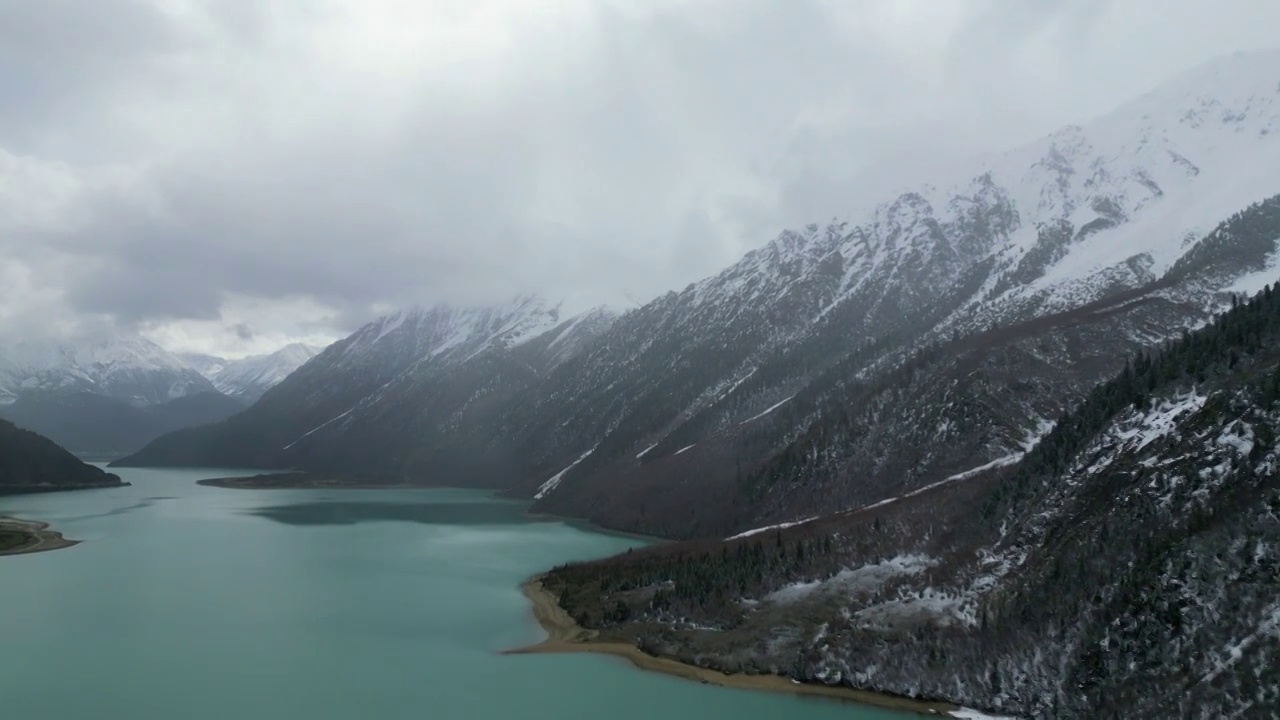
(198, 603)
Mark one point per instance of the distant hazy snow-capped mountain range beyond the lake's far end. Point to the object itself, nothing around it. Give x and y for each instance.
(107, 399)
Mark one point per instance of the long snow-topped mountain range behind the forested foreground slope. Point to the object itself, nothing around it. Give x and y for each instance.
(985, 300)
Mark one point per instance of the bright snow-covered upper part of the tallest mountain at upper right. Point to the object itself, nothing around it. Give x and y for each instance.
(1082, 212)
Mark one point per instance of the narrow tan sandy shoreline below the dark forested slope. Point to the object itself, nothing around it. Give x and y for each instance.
(566, 636)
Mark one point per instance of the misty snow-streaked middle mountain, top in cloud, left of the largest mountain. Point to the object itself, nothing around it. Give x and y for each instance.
(419, 366)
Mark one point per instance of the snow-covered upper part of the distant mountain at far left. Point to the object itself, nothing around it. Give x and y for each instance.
(127, 368)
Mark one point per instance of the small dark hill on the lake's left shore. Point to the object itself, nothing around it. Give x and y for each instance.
(30, 463)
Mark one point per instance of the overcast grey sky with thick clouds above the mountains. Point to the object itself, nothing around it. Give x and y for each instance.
(231, 175)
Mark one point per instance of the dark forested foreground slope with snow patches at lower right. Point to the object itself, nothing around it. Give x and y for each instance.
(1124, 567)
